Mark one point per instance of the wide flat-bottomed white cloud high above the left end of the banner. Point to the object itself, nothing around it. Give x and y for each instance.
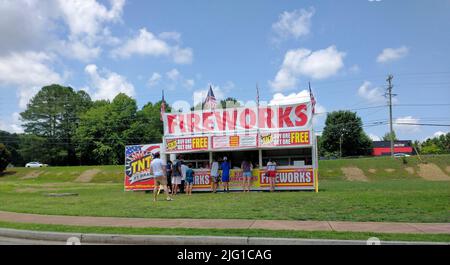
(146, 43)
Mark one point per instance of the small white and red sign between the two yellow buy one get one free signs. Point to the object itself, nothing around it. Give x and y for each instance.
(234, 141)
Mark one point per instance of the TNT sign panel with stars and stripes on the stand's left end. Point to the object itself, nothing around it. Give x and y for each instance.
(137, 166)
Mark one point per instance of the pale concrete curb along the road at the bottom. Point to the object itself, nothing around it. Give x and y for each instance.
(185, 240)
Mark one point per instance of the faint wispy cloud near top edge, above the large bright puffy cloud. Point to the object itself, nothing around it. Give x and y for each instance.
(293, 24)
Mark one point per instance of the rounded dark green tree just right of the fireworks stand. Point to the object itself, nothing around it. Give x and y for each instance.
(344, 128)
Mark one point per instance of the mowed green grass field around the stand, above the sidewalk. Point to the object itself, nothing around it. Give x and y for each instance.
(395, 195)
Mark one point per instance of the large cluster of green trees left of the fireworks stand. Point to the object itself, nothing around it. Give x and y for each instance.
(66, 127)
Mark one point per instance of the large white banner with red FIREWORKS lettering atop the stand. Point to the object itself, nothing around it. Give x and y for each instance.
(239, 120)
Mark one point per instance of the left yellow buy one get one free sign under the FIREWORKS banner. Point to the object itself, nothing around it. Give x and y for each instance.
(186, 144)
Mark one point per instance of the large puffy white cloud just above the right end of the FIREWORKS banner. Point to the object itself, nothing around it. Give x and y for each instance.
(318, 64)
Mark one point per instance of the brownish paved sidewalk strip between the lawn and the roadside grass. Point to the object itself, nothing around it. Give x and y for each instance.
(377, 227)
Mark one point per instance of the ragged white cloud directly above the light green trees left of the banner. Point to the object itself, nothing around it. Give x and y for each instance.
(110, 85)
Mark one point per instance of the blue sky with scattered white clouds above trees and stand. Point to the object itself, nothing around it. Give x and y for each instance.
(345, 48)
